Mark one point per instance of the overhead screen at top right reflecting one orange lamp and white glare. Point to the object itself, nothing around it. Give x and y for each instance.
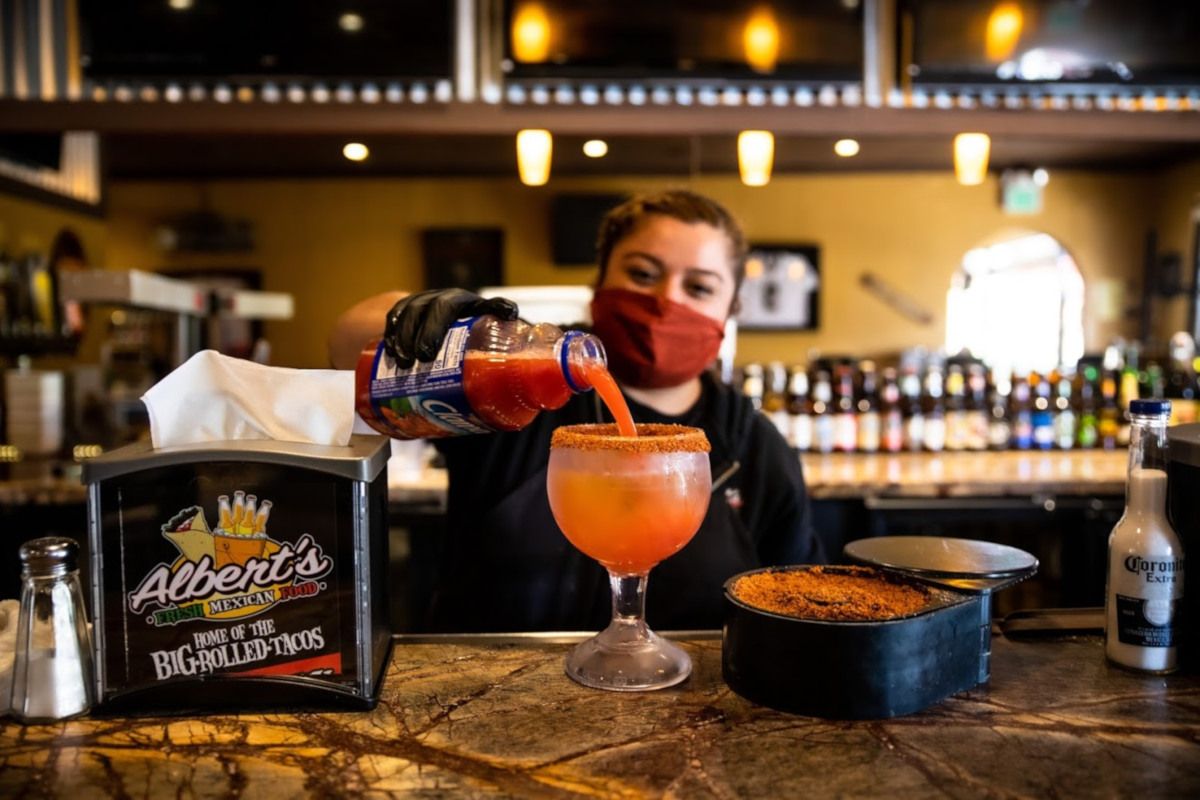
(1016, 43)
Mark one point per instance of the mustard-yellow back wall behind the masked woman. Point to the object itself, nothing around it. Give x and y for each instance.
(332, 243)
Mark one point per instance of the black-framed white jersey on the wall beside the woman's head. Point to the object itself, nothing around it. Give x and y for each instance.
(782, 288)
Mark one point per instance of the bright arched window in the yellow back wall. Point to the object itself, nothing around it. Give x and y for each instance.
(1018, 303)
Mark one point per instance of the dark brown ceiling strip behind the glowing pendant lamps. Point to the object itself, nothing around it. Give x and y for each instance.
(217, 155)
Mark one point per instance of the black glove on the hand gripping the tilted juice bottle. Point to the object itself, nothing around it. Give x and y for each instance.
(418, 324)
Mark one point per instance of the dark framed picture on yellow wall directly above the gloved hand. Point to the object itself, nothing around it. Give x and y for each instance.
(463, 258)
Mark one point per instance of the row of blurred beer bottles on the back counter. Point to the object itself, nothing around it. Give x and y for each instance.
(843, 406)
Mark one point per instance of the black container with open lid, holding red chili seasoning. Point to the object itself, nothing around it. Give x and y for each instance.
(863, 670)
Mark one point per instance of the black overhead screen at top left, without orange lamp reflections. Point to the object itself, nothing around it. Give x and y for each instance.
(278, 39)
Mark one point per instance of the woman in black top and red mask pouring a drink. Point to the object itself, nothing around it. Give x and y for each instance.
(670, 268)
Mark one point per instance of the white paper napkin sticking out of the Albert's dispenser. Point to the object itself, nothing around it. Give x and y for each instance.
(214, 398)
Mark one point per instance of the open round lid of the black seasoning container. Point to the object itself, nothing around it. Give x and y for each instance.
(963, 564)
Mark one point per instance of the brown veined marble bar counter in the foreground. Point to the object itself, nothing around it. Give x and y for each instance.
(496, 717)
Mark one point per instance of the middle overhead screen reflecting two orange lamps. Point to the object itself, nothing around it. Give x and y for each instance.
(803, 40)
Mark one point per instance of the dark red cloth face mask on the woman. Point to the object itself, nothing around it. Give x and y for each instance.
(653, 342)
